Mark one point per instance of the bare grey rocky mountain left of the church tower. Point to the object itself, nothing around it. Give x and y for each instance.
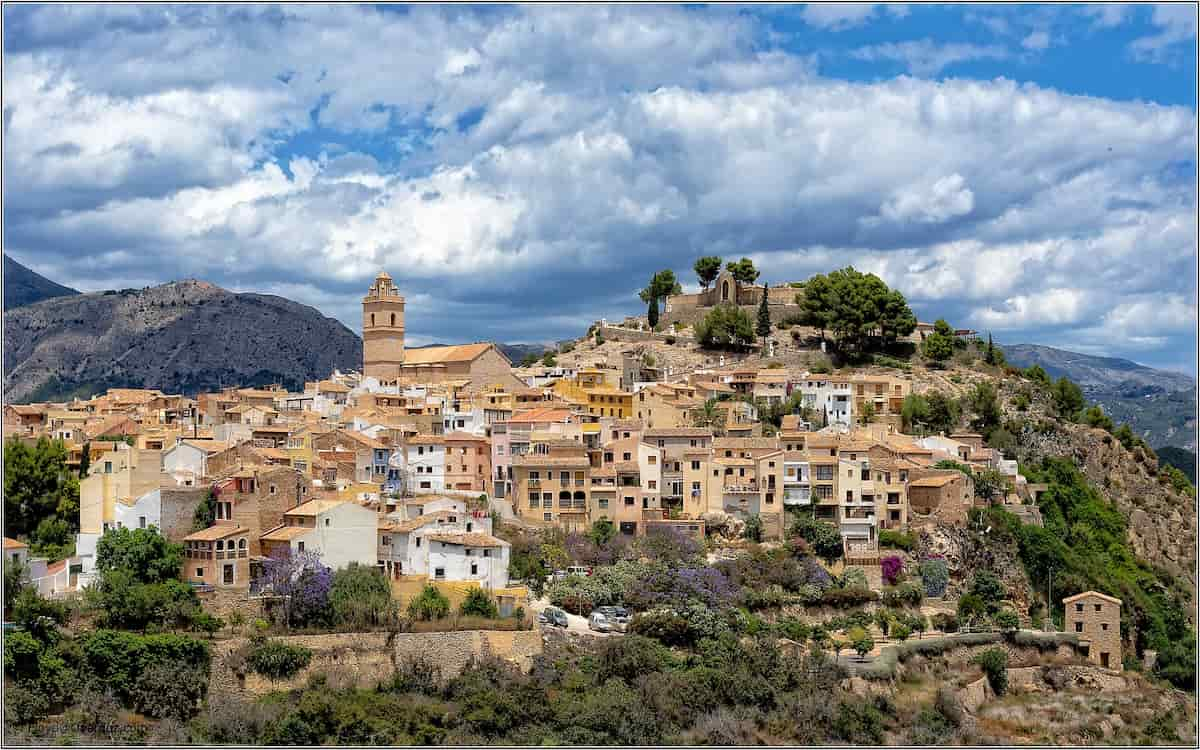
(181, 338)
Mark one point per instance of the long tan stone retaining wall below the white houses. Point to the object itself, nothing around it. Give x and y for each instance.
(367, 659)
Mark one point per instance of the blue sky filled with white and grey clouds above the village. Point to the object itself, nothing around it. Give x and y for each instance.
(521, 171)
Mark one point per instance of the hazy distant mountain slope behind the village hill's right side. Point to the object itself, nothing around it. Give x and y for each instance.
(1157, 404)
